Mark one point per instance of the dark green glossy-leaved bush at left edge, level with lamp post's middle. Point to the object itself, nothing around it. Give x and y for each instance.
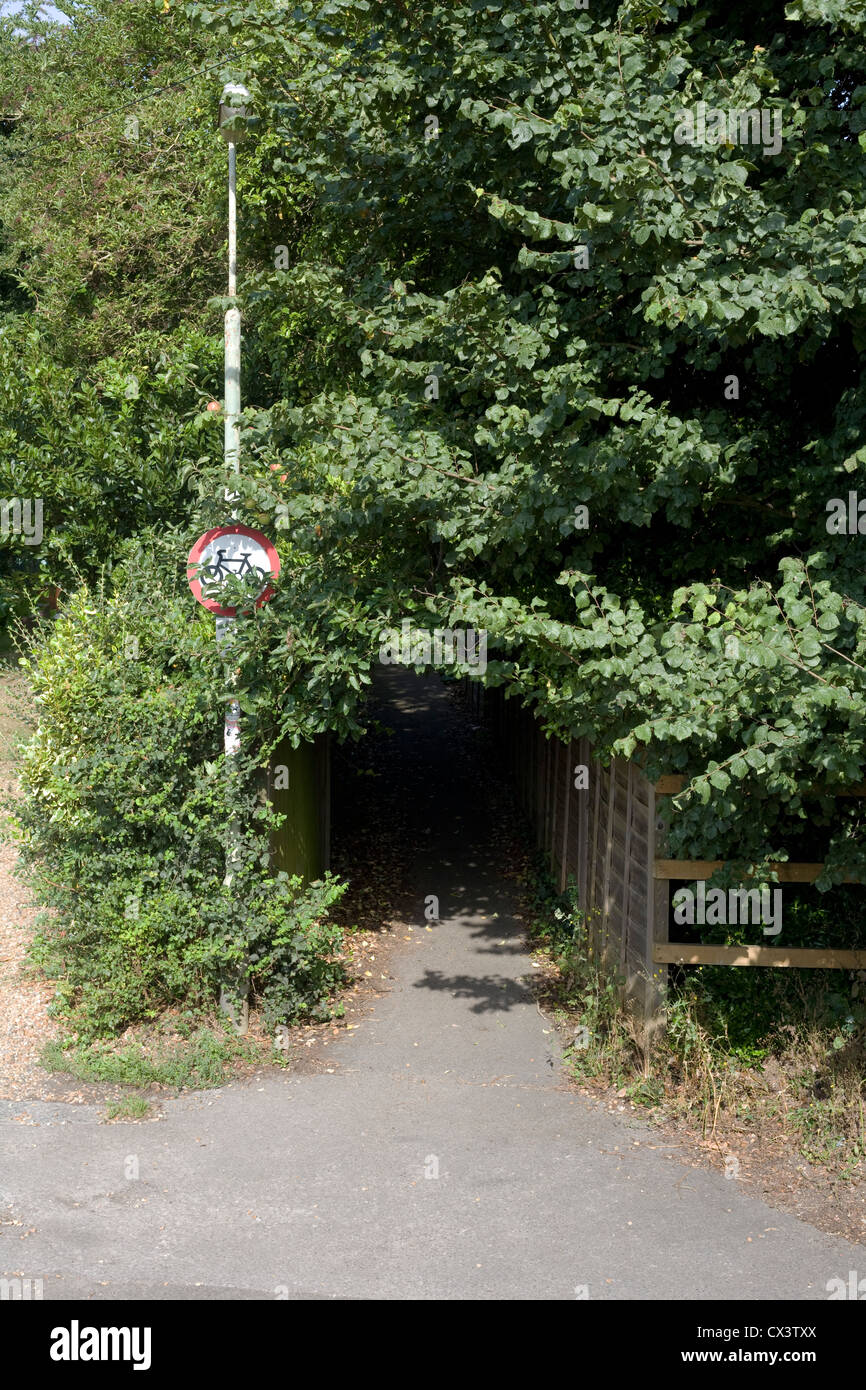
(98, 461)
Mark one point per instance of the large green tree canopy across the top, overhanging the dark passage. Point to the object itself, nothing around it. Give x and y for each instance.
(528, 357)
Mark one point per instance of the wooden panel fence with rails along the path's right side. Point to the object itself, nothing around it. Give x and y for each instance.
(604, 833)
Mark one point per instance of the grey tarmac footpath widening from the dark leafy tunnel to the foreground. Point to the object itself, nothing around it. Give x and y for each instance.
(315, 1186)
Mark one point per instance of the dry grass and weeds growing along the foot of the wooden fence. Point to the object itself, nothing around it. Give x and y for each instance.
(732, 1047)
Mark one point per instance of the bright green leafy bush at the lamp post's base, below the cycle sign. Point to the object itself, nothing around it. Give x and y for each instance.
(127, 814)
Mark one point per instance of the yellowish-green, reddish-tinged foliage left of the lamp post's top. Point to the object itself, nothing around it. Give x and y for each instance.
(111, 211)
